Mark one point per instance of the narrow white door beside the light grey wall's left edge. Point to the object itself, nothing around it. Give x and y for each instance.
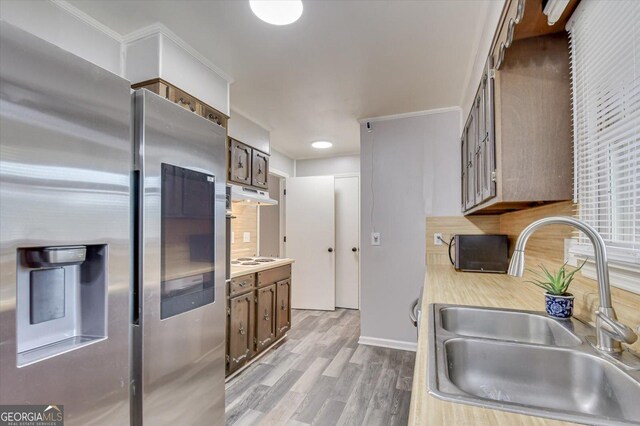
(348, 242)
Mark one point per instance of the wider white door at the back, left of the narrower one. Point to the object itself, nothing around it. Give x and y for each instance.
(310, 218)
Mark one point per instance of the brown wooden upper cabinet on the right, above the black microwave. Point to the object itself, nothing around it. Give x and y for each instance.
(516, 146)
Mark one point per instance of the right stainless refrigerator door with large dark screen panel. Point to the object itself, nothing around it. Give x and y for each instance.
(179, 299)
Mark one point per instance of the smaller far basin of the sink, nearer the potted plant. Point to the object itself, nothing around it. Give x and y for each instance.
(518, 326)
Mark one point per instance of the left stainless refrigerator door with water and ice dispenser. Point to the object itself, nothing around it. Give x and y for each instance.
(65, 173)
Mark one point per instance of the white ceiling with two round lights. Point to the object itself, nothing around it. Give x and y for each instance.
(340, 62)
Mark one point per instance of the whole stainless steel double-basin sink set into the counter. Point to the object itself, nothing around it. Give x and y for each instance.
(528, 363)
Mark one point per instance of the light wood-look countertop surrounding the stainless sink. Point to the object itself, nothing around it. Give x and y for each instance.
(444, 285)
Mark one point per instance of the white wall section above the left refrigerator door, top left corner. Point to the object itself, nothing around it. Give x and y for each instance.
(53, 23)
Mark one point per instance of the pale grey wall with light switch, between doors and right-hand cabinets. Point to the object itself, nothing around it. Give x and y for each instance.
(408, 171)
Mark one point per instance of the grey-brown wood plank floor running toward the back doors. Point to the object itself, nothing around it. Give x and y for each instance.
(320, 376)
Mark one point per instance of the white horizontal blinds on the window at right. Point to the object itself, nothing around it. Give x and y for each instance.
(605, 66)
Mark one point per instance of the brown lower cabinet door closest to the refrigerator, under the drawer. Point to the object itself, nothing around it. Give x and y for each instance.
(240, 330)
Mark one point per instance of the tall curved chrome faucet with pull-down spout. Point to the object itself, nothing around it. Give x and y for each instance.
(609, 332)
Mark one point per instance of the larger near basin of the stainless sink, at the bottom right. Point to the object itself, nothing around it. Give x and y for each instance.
(554, 378)
